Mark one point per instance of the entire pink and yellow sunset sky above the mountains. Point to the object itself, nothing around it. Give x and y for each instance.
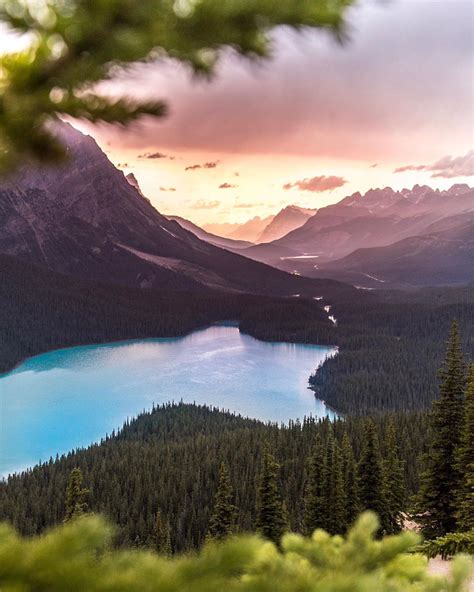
(317, 122)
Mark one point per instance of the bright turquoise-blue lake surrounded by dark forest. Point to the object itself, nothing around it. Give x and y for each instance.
(72, 397)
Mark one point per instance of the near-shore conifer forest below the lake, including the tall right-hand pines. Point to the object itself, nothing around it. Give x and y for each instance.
(181, 473)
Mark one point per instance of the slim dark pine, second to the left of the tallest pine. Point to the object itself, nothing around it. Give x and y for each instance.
(370, 474)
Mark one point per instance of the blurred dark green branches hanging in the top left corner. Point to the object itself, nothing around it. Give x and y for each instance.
(71, 45)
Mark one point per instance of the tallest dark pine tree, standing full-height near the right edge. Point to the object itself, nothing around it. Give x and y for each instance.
(436, 507)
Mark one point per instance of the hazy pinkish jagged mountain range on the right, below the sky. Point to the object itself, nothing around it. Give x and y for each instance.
(379, 218)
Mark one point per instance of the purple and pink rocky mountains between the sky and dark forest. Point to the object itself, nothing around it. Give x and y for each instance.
(85, 218)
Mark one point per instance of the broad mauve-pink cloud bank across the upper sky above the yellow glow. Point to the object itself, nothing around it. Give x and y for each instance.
(408, 66)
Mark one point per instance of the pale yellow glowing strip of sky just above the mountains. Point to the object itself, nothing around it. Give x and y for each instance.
(259, 184)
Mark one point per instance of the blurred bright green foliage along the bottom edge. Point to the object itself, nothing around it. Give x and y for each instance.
(77, 557)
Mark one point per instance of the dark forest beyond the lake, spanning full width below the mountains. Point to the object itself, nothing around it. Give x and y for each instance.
(390, 343)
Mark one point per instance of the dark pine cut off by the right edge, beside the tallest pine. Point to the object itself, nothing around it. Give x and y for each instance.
(465, 461)
